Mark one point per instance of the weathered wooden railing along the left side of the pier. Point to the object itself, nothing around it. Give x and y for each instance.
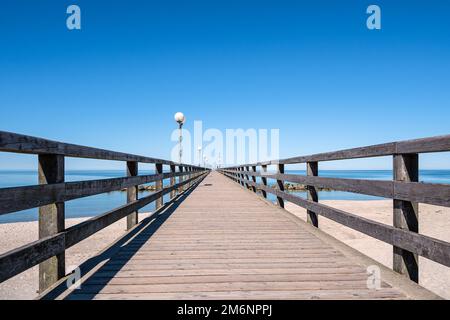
(52, 192)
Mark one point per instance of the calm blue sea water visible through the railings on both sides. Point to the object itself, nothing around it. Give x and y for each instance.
(95, 205)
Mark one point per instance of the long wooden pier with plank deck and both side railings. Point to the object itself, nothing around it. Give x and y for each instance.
(219, 237)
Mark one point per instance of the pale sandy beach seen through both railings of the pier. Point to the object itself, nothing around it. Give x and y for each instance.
(434, 222)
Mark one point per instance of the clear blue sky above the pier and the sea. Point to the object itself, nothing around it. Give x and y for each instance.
(310, 68)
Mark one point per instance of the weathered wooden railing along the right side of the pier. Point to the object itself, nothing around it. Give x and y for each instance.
(404, 189)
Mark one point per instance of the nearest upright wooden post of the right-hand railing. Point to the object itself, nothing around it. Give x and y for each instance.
(406, 215)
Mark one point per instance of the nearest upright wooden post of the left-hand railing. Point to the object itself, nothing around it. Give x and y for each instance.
(51, 220)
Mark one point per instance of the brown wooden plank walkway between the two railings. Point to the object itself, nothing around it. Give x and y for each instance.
(222, 242)
